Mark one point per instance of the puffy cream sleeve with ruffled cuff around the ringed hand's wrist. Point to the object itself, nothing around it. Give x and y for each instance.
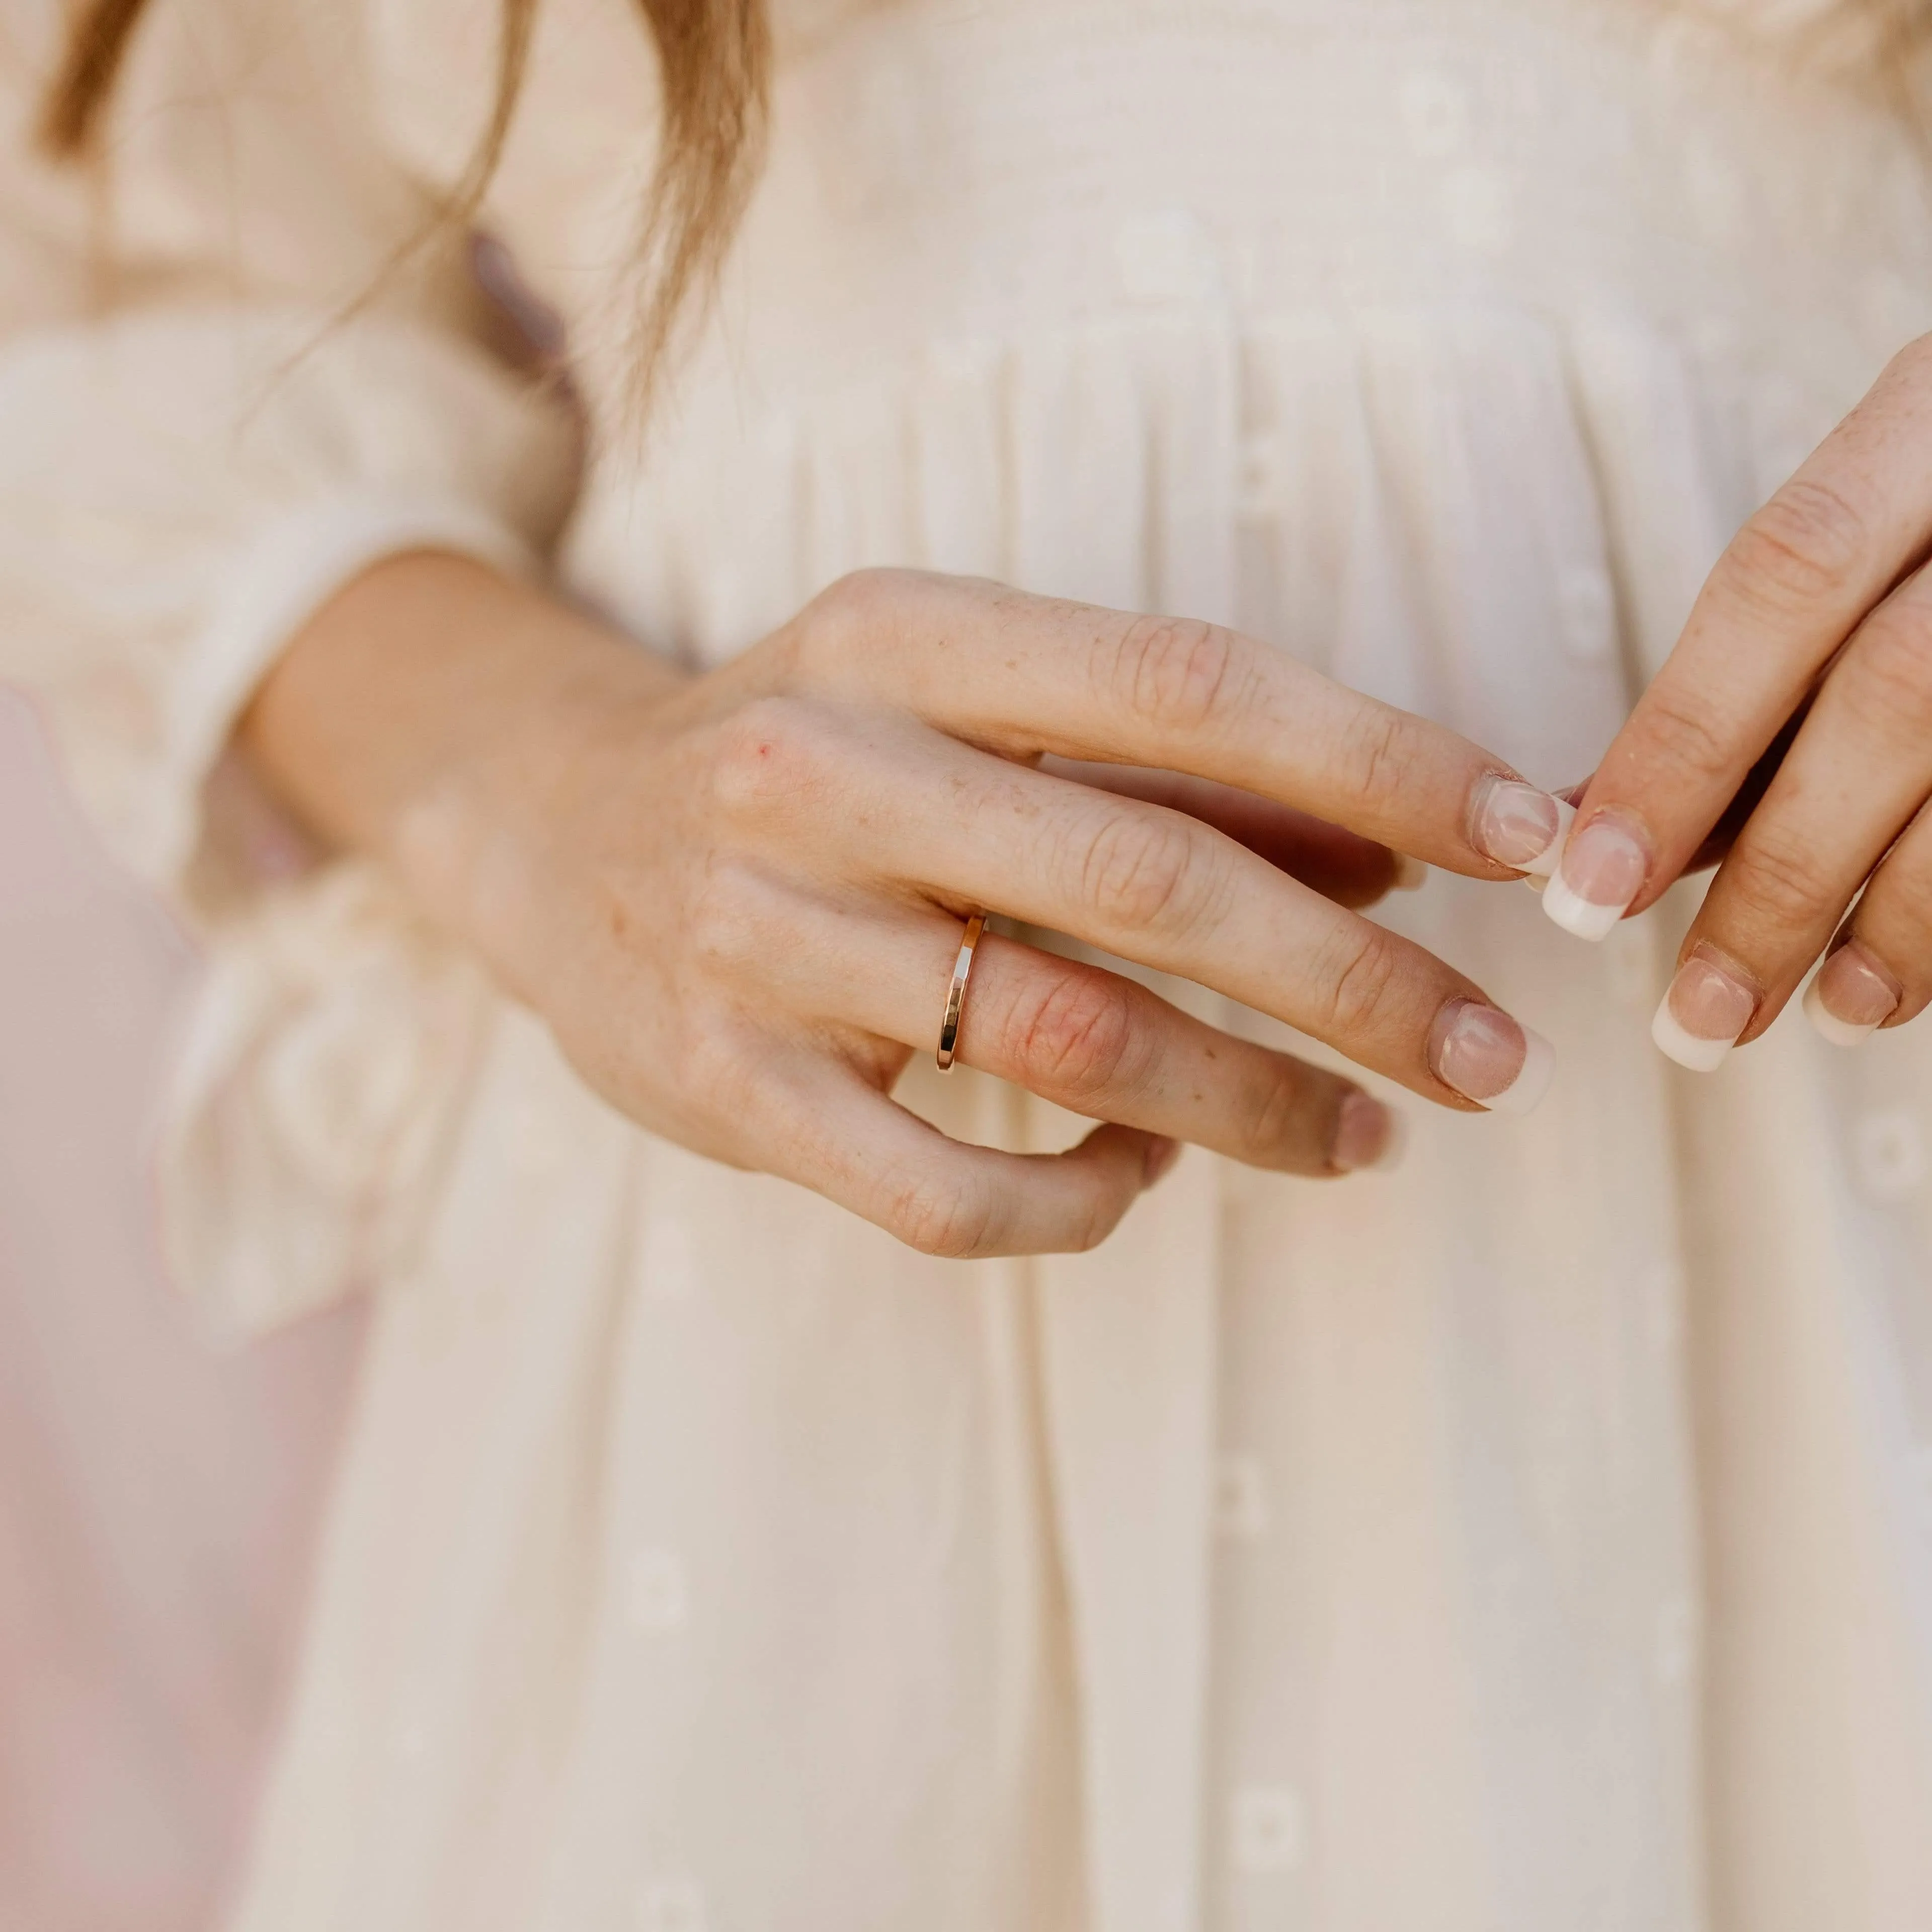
(281, 391)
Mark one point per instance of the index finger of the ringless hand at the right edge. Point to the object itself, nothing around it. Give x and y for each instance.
(1780, 602)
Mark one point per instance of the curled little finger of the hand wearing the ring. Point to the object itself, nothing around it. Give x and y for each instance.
(944, 1197)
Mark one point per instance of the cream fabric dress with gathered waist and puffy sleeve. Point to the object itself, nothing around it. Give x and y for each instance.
(1539, 1537)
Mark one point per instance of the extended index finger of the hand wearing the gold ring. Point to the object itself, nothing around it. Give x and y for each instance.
(1035, 675)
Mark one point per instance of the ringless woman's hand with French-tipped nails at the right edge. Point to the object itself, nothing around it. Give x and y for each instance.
(1804, 691)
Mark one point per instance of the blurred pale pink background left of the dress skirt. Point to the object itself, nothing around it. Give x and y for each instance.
(157, 1494)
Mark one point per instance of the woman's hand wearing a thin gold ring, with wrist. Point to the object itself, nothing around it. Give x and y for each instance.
(737, 899)
